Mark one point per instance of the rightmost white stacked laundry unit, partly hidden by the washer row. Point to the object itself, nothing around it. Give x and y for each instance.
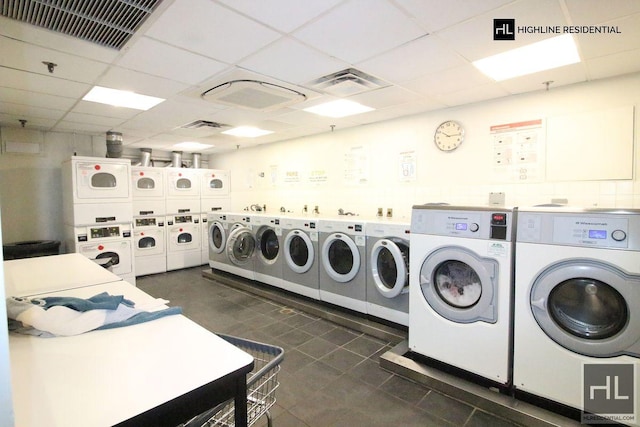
(214, 198)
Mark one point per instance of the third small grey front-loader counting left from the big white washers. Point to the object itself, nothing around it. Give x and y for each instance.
(300, 269)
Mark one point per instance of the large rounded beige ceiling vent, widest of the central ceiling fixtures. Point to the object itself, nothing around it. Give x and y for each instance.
(253, 94)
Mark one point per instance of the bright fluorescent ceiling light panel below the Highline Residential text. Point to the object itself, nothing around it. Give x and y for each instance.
(543, 55)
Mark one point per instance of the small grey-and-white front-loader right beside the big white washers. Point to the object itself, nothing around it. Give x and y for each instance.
(388, 270)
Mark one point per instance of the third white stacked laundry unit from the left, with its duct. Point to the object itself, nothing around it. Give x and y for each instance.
(183, 216)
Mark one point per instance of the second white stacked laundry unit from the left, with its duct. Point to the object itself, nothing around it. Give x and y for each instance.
(149, 210)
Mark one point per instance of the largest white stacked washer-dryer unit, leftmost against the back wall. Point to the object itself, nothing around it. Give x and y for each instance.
(97, 212)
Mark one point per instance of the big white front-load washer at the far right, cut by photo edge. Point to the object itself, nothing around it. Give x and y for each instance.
(577, 309)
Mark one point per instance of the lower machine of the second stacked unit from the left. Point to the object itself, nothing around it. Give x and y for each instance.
(149, 245)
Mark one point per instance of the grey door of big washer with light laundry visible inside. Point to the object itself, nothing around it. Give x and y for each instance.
(460, 285)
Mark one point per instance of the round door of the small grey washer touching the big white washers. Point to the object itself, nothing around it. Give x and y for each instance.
(390, 266)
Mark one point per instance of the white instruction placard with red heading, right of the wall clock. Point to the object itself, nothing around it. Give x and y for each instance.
(518, 151)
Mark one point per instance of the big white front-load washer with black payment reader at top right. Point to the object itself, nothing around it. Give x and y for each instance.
(460, 285)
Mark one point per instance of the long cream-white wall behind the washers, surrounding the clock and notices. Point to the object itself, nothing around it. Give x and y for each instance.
(262, 174)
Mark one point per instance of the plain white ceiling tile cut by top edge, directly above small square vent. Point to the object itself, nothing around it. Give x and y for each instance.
(360, 29)
